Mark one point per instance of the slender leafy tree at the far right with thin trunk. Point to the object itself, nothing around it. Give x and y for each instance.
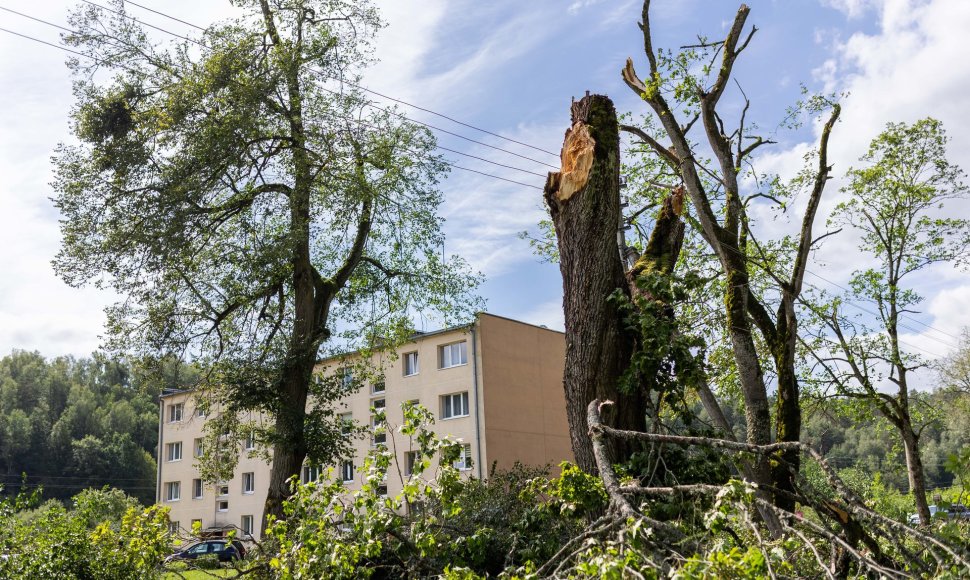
(895, 204)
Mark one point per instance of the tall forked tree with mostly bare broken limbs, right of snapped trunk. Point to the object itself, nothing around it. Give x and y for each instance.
(681, 89)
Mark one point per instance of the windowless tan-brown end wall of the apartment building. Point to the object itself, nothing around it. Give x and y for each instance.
(524, 404)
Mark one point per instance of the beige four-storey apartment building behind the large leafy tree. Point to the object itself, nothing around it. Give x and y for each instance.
(495, 384)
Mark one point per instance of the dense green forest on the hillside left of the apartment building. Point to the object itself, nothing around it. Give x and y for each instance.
(71, 424)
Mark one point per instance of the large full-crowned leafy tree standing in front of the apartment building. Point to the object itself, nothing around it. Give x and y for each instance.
(248, 205)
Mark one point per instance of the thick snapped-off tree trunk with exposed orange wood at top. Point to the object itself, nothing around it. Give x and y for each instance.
(584, 202)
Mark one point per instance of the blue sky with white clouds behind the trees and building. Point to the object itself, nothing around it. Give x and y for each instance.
(512, 68)
